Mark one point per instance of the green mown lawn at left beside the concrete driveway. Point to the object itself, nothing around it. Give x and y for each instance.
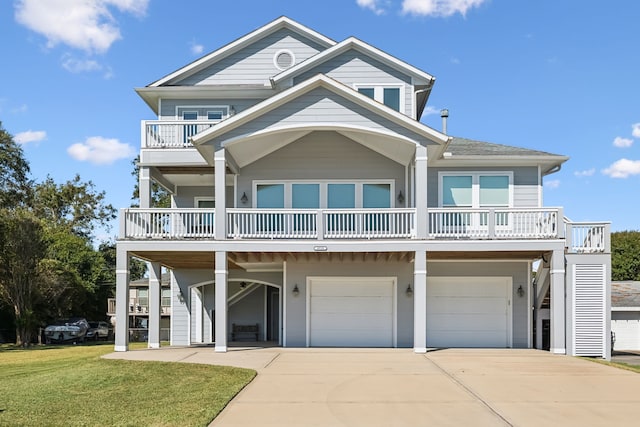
(73, 386)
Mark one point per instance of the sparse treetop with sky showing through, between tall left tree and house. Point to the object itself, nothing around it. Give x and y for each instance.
(75, 206)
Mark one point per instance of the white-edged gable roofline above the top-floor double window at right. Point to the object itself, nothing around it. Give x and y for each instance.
(353, 43)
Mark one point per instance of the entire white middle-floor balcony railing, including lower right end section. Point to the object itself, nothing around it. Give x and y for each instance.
(370, 224)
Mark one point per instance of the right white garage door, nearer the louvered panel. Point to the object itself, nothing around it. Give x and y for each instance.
(468, 312)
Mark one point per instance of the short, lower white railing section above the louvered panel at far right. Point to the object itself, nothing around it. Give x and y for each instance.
(588, 237)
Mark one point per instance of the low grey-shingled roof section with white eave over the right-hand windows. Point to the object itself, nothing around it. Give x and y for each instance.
(480, 152)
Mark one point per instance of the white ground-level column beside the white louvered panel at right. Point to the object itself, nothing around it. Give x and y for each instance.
(558, 304)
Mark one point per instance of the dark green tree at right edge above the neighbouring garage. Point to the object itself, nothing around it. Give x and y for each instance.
(625, 255)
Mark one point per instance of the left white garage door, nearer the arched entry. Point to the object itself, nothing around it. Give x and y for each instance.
(351, 312)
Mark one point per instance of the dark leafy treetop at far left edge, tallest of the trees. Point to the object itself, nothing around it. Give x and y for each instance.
(15, 184)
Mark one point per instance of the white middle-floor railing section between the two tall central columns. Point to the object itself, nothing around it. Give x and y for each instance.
(320, 224)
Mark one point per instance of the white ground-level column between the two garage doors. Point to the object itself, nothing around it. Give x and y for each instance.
(420, 302)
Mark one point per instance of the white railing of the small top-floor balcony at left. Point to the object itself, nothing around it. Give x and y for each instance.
(171, 134)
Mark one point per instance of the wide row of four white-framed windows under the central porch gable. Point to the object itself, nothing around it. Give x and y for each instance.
(323, 195)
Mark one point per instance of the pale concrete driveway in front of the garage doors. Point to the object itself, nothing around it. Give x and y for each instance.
(396, 387)
